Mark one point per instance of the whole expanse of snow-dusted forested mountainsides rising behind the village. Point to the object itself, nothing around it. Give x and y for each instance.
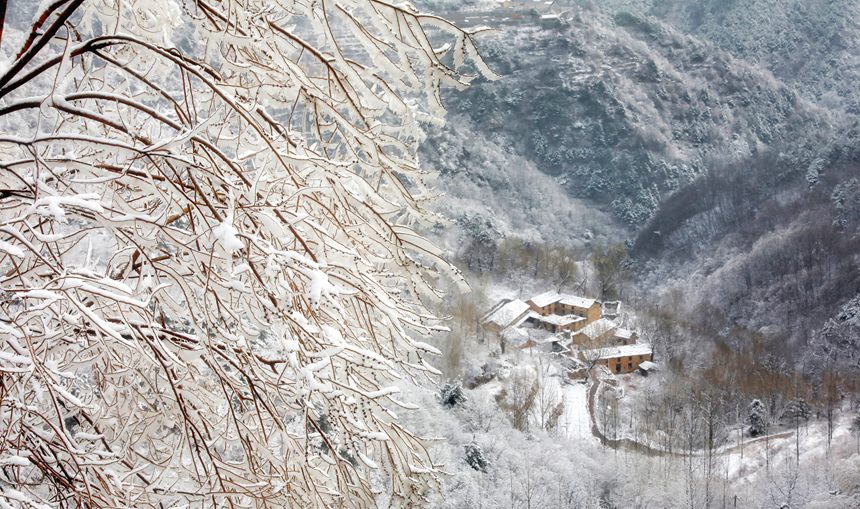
(734, 177)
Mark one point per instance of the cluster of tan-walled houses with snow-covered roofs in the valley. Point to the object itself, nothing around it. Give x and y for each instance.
(584, 329)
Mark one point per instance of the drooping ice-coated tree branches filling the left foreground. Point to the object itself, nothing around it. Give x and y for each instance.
(211, 279)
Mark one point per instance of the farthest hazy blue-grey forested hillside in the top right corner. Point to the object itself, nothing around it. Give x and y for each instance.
(812, 45)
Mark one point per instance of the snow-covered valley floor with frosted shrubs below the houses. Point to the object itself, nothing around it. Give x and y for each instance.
(625, 469)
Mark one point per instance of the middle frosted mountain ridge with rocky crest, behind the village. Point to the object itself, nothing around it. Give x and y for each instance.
(623, 111)
